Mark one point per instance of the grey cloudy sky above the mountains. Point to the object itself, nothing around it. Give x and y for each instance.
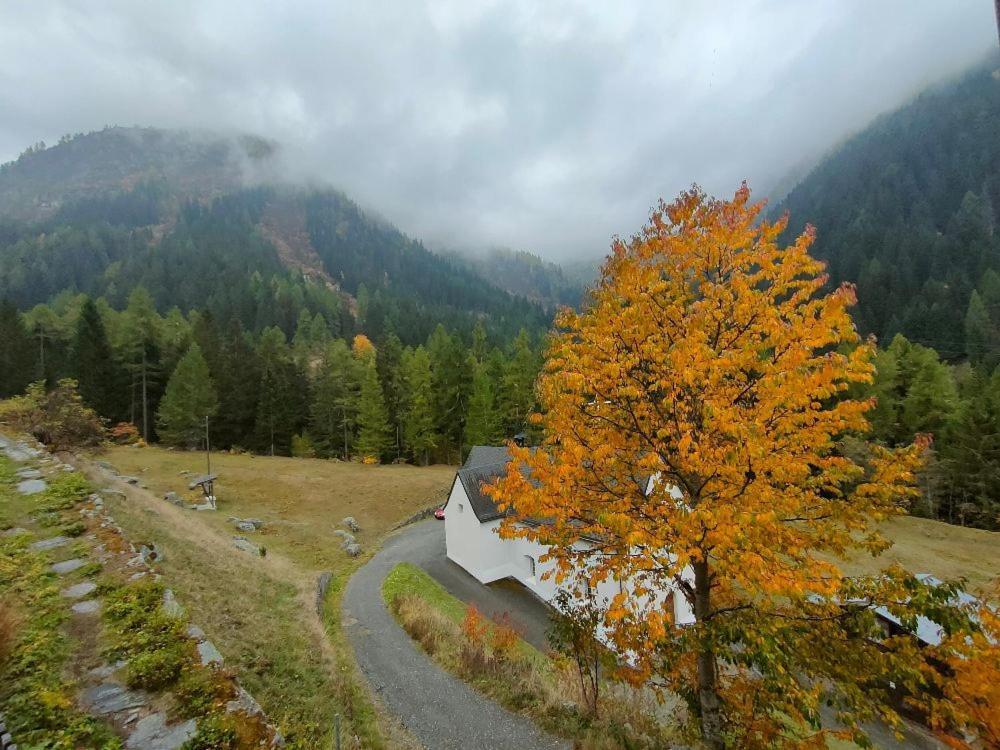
(544, 125)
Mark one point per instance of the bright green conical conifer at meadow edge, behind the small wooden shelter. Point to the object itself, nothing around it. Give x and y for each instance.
(190, 398)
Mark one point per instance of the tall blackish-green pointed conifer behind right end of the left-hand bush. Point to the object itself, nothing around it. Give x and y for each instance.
(94, 366)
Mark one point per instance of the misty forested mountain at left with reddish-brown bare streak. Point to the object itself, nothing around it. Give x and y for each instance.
(109, 211)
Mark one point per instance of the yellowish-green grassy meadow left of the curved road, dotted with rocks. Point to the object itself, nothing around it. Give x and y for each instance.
(260, 612)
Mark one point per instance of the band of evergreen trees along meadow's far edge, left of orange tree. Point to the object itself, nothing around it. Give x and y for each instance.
(317, 394)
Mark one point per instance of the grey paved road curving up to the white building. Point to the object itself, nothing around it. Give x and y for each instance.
(439, 710)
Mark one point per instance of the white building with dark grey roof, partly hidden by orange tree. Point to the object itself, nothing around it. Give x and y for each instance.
(471, 540)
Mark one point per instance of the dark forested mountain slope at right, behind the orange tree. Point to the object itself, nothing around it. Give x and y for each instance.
(906, 209)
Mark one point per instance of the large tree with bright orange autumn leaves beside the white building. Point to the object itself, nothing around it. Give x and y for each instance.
(693, 417)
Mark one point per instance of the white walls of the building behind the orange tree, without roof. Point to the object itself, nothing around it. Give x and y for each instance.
(478, 549)
